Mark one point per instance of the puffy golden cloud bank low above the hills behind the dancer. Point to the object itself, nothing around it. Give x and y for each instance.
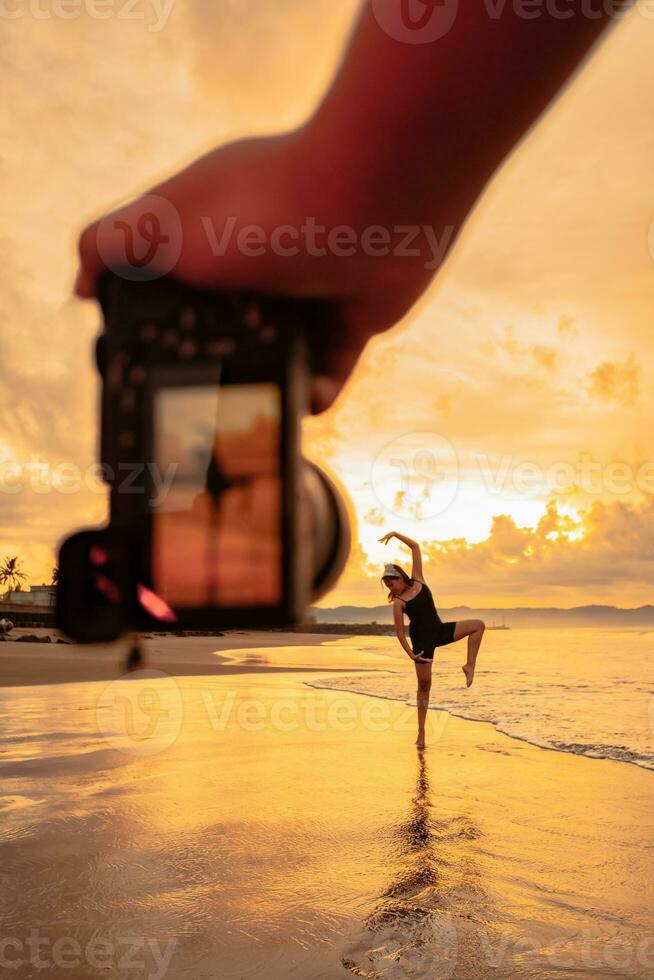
(602, 553)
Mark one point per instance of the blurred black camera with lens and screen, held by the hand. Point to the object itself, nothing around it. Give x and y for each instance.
(215, 519)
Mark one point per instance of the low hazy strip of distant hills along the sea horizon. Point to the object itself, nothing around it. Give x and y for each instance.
(521, 616)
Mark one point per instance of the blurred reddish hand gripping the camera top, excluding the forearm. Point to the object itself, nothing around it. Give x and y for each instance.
(205, 216)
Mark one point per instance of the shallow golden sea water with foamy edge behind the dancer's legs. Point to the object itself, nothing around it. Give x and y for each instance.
(586, 691)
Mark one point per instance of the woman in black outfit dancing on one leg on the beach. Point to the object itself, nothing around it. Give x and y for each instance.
(412, 595)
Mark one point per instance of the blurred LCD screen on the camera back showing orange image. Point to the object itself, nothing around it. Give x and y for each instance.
(217, 495)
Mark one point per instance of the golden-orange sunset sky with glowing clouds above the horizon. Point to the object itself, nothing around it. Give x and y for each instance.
(518, 393)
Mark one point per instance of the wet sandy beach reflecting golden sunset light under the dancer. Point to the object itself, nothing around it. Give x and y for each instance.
(237, 823)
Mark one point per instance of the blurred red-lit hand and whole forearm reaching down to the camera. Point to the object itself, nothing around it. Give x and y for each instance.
(396, 127)
